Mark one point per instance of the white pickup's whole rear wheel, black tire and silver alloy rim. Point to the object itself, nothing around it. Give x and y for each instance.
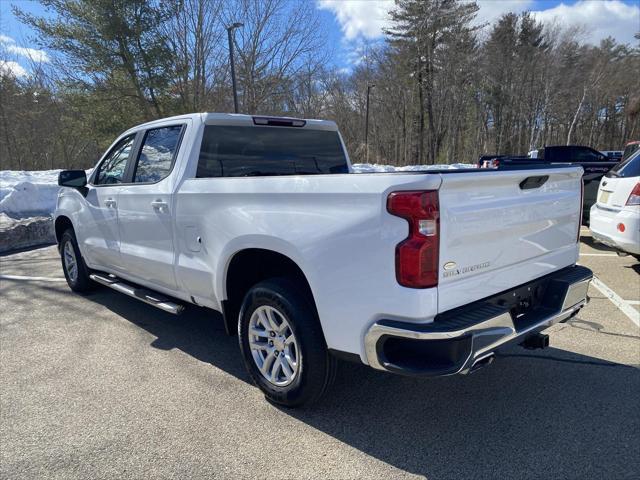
(282, 343)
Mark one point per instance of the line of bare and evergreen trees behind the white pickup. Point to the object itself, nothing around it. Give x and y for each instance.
(444, 89)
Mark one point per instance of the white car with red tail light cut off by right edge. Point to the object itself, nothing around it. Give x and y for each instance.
(615, 218)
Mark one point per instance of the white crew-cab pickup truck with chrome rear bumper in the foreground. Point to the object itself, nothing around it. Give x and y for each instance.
(261, 218)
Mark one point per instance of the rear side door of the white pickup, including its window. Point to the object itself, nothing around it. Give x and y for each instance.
(145, 212)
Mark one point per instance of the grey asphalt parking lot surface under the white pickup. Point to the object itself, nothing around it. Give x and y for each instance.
(104, 386)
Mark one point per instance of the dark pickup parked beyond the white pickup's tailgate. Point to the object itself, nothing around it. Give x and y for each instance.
(594, 163)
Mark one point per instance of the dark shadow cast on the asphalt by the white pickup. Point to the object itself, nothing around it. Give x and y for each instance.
(542, 414)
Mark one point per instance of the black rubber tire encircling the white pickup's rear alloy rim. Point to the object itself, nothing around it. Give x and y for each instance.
(316, 367)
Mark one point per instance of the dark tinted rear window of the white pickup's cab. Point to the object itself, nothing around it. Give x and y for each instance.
(244, 151)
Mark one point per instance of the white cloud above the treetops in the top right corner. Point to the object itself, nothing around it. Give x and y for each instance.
(601, 19)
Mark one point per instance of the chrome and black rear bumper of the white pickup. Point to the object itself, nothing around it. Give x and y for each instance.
(461, 338)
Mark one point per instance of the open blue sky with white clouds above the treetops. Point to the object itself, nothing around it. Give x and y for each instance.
(349, 23)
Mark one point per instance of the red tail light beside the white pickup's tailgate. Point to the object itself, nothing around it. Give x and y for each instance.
(417, 256)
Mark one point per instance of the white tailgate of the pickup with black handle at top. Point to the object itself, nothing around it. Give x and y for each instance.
(502, 229)
